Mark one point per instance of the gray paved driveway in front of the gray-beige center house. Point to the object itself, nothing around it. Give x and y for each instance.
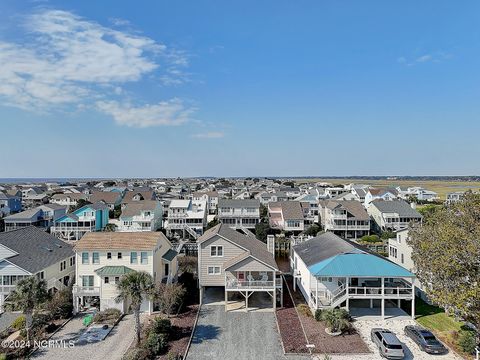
(235, 335)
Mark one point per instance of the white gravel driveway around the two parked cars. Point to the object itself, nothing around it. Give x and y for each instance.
(395, 325)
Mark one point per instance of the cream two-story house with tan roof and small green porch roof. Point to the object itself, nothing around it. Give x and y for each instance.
(102, 258)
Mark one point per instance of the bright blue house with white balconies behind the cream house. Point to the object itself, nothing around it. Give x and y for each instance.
(89, 218)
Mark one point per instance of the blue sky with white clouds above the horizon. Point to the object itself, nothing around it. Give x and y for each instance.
(239, 88)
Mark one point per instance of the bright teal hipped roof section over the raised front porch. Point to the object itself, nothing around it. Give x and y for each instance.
(358, 265)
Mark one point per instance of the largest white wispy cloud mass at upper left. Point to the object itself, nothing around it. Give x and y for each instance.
(65, 60)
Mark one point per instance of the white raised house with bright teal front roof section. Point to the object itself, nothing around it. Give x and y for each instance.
(333, 272)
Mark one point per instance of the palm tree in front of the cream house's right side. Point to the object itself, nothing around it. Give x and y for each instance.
(136, 286)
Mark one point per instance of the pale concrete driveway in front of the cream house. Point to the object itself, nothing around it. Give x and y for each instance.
(112, 348)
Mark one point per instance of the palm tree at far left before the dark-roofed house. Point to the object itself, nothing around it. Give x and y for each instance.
(28, 295)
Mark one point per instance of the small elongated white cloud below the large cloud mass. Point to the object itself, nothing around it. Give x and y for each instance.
(166, 113)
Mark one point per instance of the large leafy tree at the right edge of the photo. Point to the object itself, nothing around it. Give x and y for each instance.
(446, 253)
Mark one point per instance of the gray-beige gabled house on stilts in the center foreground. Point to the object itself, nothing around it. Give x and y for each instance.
(236, 270)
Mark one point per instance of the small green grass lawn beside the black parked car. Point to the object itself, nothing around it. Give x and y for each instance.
(434, 318)
